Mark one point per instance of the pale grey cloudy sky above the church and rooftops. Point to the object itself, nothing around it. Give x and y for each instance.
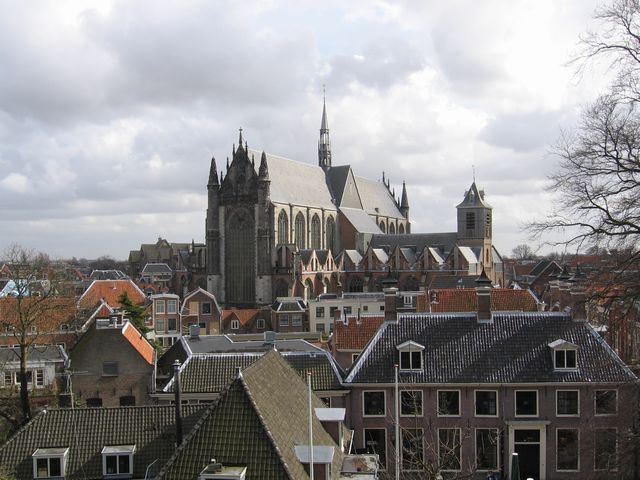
(110, 111)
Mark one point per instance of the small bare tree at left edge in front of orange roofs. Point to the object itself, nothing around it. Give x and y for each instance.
(31, 310)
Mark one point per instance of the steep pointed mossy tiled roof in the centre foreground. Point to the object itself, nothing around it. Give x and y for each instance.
(257, 422)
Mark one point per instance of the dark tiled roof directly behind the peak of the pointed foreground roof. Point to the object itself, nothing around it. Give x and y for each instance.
(211, 373)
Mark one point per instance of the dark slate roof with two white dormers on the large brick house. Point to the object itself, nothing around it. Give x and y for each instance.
(511, 349)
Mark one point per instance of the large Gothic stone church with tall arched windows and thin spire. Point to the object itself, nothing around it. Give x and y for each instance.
(276, 227)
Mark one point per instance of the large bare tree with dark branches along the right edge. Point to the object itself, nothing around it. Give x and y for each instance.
(597, 183)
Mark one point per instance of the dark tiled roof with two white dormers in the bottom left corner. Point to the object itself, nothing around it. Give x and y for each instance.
(150, 428)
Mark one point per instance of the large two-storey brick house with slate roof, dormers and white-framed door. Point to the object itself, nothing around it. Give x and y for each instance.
(473, 388)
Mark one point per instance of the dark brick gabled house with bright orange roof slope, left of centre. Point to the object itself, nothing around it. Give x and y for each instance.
(114, 364)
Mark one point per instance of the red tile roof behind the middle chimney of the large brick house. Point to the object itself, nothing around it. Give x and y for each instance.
(466, 300)
